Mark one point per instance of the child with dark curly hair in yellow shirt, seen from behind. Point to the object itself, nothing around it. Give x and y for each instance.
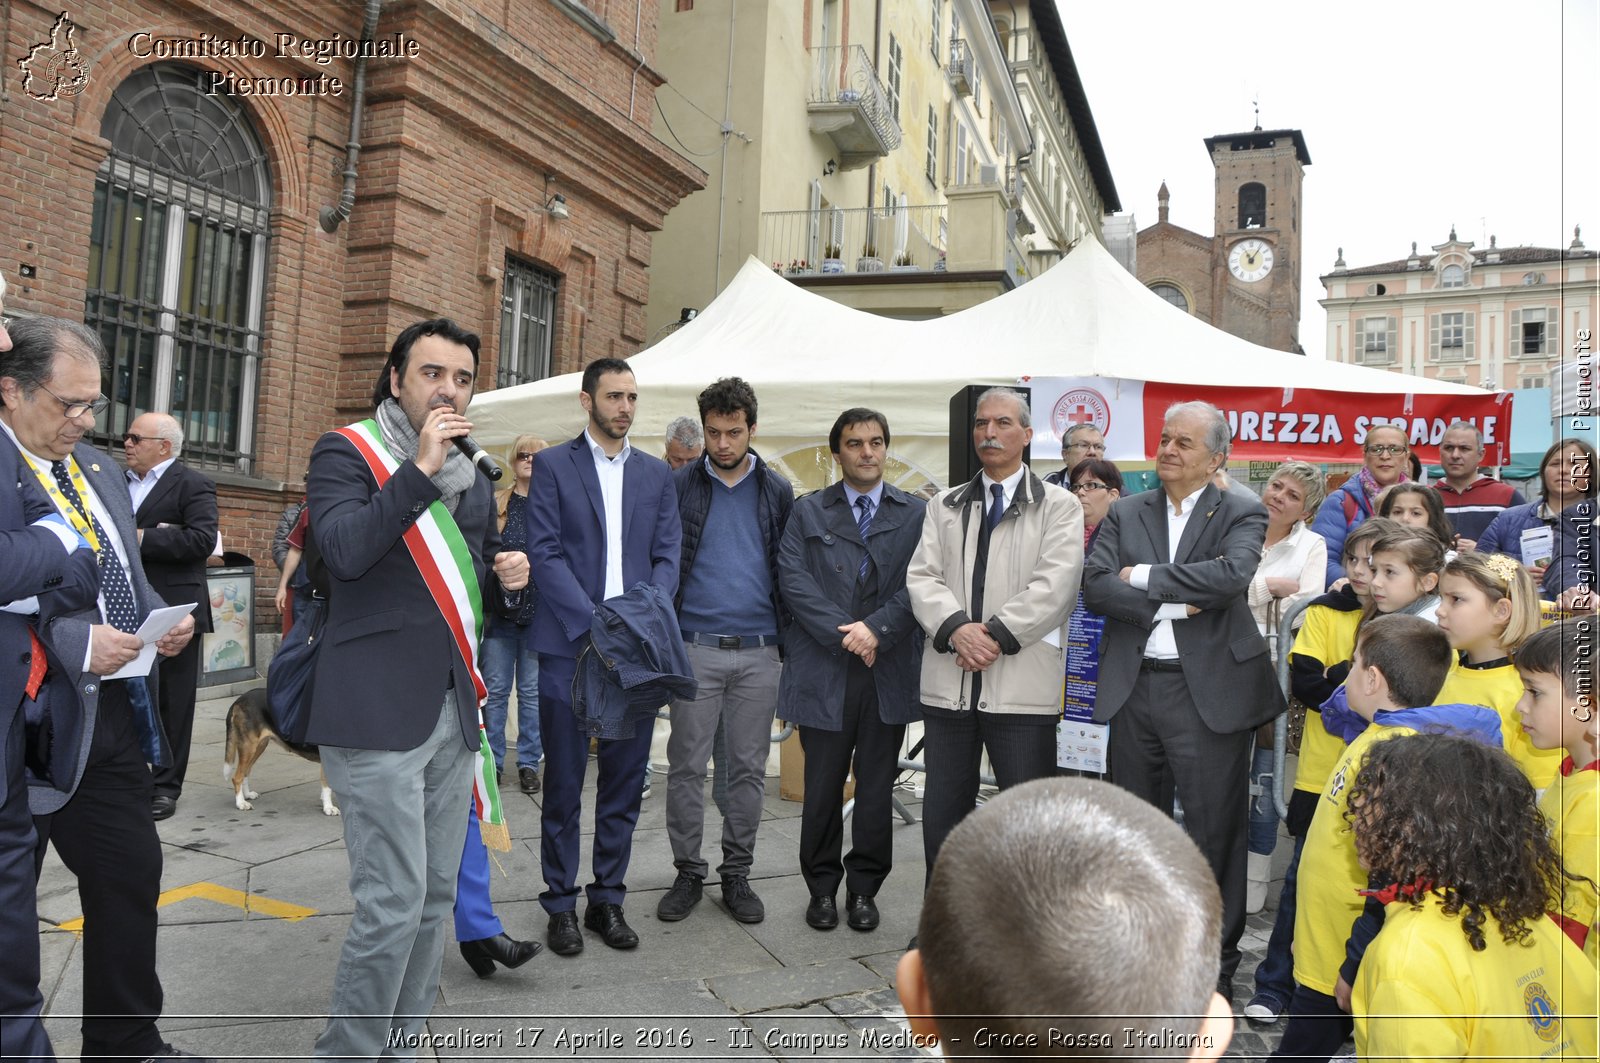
(1468, 966)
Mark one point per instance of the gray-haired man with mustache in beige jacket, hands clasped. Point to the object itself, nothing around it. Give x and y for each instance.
(993, 584)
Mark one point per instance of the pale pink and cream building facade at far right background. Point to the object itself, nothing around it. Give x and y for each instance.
(1494, 318)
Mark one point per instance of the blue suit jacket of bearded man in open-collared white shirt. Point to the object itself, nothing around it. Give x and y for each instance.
(567, 539)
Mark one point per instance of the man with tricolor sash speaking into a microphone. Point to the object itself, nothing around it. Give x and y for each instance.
(407, 529)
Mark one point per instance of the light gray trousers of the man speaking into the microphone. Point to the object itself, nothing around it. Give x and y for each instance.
(404, 832)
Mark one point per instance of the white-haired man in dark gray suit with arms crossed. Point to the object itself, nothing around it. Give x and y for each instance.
(1185, 673)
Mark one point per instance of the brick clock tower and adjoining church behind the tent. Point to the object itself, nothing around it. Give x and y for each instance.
(1244, 279)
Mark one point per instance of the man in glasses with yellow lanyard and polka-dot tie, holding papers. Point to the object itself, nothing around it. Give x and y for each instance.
(102, 822)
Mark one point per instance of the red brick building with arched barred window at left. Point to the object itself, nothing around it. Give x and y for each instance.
(182, 179)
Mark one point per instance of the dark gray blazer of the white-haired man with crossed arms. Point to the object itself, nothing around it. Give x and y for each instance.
(1225, 659)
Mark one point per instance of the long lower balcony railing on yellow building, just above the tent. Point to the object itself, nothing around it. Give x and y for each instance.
(791, 238)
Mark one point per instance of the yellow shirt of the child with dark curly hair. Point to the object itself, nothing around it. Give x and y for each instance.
(1425, 995)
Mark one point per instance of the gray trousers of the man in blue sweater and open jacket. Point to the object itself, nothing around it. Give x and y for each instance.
(740, 688)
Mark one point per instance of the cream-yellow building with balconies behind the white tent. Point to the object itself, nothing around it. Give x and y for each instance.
(865, 148)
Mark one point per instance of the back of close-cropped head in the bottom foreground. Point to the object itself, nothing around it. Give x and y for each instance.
(1105, 944)
